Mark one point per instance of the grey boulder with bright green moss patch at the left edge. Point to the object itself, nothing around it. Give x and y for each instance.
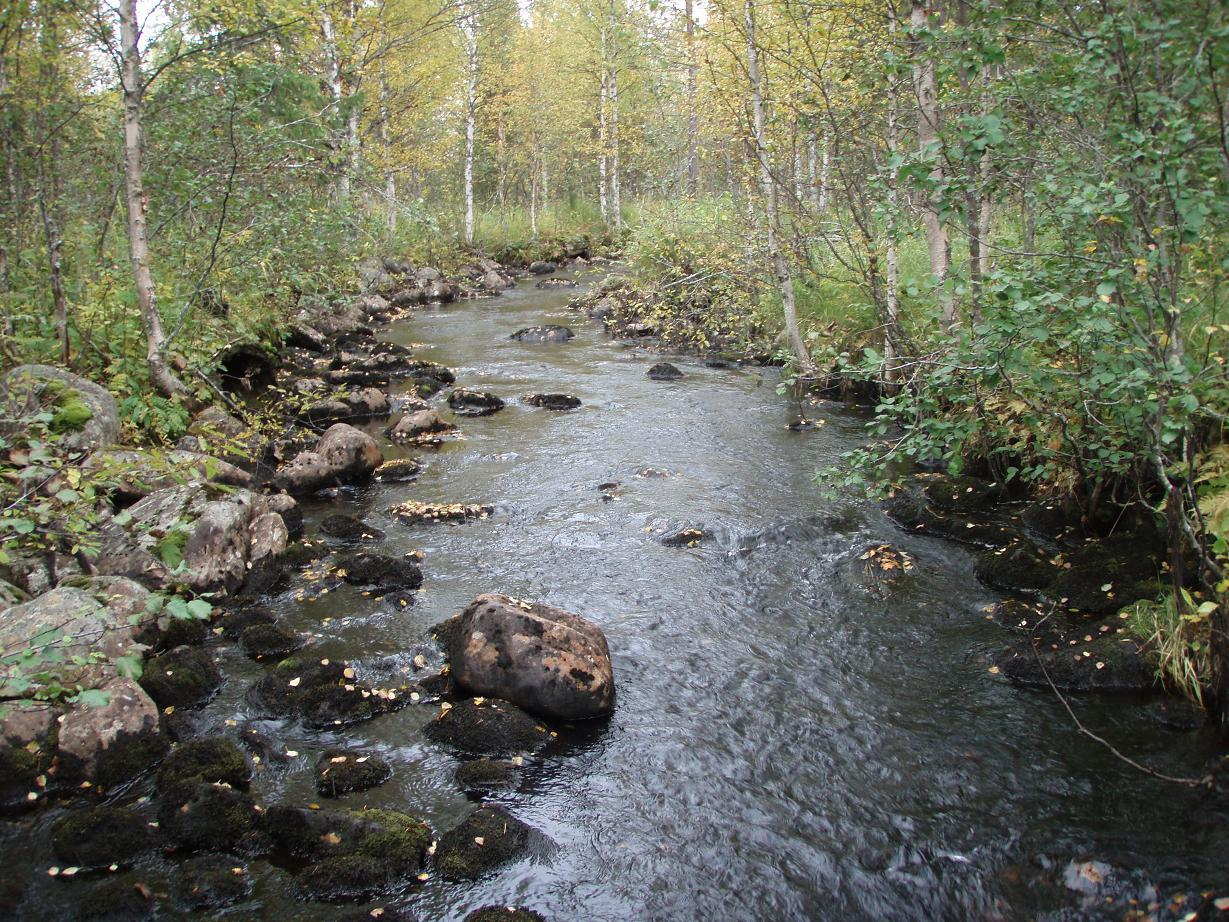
(84, 415)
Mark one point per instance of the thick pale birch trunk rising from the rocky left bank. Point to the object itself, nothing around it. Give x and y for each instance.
(135, 195)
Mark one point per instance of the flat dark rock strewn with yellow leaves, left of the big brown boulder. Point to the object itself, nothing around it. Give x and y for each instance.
(323, 694)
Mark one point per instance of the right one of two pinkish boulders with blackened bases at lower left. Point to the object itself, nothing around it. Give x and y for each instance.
(112, 743)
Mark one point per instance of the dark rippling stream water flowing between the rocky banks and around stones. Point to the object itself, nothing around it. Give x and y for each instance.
(786, 744)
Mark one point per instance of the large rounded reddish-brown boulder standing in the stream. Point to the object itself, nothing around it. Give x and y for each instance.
(544, 660)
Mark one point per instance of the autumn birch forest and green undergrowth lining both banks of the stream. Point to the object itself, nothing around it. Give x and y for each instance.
(1007, 219)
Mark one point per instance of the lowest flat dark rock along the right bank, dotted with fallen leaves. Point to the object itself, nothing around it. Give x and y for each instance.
(1109, 663)
